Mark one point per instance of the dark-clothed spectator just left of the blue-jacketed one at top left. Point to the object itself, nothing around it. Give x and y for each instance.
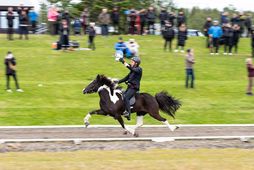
(23, 25)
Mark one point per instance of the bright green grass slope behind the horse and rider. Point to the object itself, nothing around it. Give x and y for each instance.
(219, 96)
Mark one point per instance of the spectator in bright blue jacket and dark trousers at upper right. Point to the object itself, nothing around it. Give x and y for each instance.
(215, 32)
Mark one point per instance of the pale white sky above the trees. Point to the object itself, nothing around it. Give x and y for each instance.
(241, 5)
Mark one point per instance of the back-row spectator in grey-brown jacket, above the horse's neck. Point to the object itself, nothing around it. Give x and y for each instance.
(104, 20)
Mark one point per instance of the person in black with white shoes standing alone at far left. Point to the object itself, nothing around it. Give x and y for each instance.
(10, 71)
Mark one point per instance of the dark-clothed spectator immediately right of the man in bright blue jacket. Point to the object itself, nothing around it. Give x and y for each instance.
(228, 39)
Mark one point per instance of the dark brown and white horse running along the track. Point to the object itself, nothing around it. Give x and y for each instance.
(111, 104)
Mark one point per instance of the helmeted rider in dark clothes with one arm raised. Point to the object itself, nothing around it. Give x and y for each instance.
(133, 81)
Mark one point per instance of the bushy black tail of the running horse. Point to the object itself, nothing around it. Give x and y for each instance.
(167, 103)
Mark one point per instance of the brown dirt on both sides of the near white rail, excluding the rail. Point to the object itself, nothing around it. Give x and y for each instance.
(52, 133)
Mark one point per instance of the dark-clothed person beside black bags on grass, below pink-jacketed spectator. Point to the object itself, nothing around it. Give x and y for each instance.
(64, 34)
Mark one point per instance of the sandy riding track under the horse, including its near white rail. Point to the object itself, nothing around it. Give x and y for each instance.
(58, 138)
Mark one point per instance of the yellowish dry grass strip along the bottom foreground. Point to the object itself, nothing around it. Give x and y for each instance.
(190, 159)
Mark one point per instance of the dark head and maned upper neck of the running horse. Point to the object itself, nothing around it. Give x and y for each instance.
(99, 81)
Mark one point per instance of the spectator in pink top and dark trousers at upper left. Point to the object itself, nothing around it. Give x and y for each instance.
(52, 20)
